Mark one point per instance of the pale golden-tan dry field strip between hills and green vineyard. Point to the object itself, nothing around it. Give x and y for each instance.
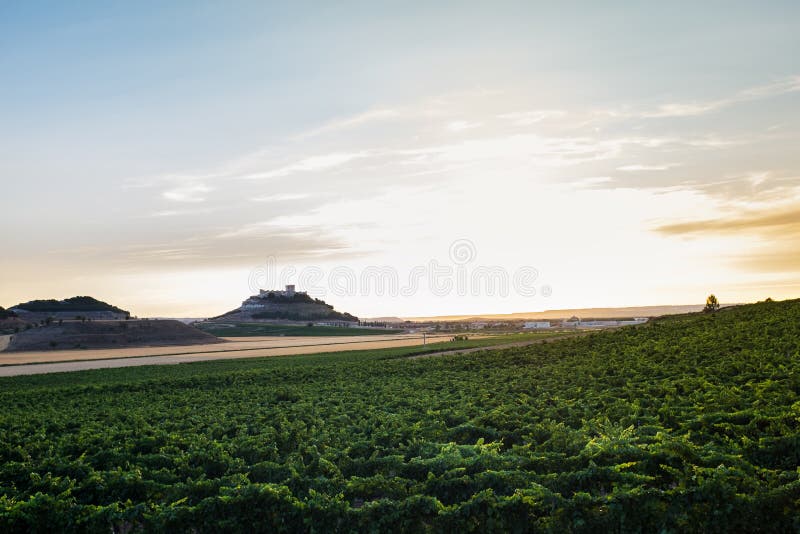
(24, 363)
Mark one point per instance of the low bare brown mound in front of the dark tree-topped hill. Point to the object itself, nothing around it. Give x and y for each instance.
(108, 334)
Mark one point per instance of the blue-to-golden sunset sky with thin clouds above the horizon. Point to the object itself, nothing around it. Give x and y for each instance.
(400, 158)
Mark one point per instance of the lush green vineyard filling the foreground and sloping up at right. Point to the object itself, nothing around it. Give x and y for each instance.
(687, 424)
